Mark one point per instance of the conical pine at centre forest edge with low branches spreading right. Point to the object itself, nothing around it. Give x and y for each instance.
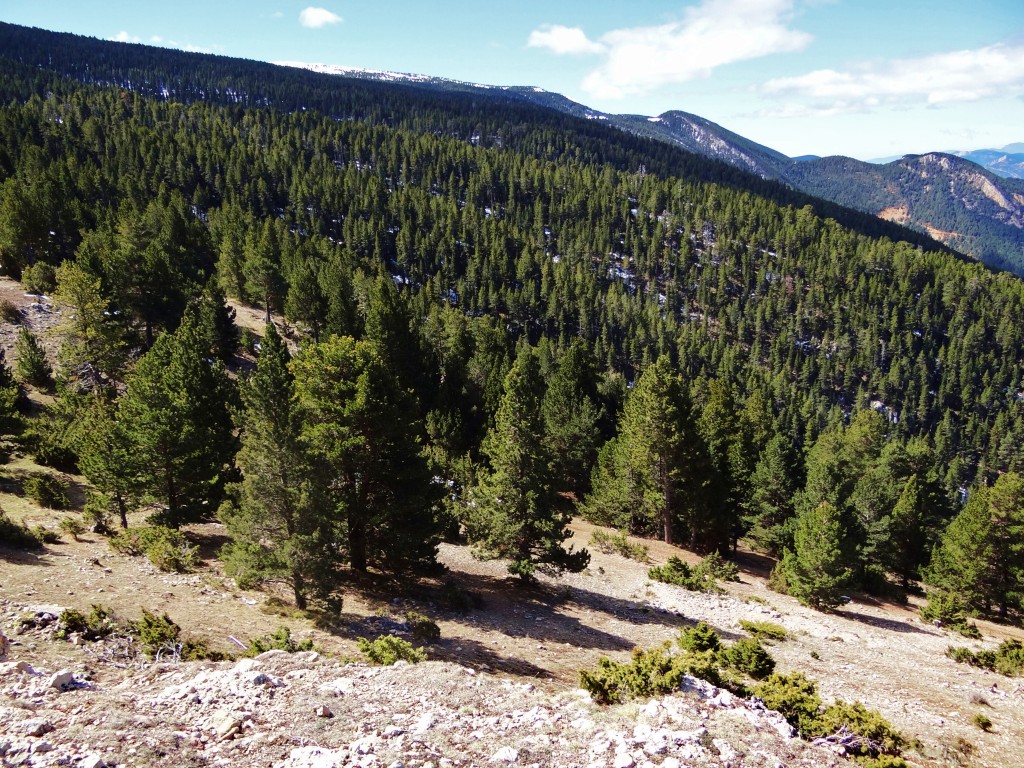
(514, 511)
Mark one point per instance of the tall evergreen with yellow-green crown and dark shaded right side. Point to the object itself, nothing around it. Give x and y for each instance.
(363, 425)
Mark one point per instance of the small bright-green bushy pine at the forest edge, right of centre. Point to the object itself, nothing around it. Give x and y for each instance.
(815, 569)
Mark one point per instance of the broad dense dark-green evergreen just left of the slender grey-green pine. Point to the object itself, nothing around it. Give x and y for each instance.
(178, 423)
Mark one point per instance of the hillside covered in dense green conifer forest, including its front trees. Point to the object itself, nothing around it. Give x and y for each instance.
(487, 312)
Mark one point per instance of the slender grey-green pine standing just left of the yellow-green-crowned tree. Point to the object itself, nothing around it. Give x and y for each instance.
(282, 529)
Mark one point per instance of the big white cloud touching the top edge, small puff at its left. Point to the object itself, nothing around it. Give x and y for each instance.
(715, 33)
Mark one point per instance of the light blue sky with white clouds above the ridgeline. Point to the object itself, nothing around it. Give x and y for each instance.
(866, 78)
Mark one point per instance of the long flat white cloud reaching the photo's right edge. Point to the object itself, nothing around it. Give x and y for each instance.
(943, 78)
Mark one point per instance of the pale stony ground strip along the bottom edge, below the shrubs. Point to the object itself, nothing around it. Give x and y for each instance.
(307, 711)
